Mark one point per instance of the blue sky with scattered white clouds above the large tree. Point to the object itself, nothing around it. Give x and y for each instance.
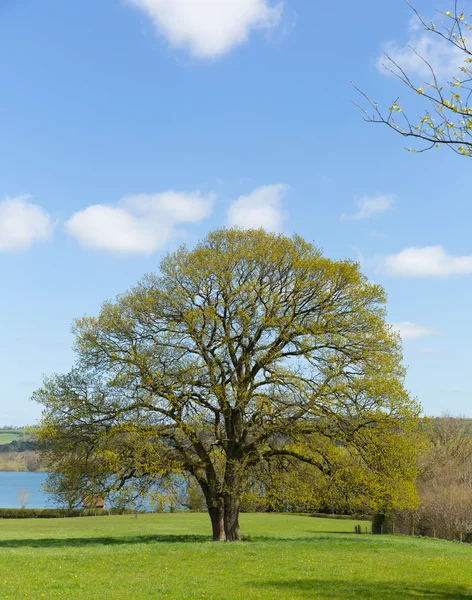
(128, 127)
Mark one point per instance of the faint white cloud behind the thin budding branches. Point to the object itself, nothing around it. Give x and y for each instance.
(441, 55)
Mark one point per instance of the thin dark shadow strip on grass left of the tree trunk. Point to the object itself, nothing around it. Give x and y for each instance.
(102, 541)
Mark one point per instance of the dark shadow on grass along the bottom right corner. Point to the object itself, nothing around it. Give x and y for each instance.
(364, 590)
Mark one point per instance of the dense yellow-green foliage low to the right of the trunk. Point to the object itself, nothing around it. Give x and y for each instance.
(354, 485)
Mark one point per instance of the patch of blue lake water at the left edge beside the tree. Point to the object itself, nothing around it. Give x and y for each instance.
(11, 482)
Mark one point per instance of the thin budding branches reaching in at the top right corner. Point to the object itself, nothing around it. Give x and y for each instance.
(446, 116)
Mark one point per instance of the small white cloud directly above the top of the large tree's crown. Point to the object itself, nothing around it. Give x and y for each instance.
(260, 208)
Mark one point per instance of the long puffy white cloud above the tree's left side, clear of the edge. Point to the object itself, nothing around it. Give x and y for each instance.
(139, 224)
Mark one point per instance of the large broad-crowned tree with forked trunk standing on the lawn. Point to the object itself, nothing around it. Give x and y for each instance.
(249, 349)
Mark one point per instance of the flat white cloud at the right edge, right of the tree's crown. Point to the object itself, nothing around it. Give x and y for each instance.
(430, 261)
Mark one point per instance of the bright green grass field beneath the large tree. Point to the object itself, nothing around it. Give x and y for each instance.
(169, 556)
